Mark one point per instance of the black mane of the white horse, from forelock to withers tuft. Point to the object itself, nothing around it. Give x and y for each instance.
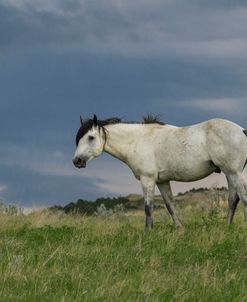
(88, 124)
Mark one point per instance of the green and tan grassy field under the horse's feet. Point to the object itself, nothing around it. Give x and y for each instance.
(48, 256)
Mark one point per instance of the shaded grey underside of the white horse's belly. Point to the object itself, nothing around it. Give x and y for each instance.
(186, 173)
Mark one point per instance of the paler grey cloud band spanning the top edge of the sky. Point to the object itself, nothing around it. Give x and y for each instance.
(127, 28)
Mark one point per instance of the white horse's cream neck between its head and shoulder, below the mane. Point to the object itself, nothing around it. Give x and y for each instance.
(120, 138)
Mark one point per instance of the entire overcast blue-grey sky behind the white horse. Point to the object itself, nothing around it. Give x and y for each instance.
(185, 60)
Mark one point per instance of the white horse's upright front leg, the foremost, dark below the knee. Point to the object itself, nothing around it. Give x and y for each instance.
(148, 185)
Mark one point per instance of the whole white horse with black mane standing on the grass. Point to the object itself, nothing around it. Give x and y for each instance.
(158, 153)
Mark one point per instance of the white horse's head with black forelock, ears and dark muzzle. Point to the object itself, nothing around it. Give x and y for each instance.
(90, 140)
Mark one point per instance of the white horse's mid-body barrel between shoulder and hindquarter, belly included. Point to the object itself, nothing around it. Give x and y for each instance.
(182, 155)
